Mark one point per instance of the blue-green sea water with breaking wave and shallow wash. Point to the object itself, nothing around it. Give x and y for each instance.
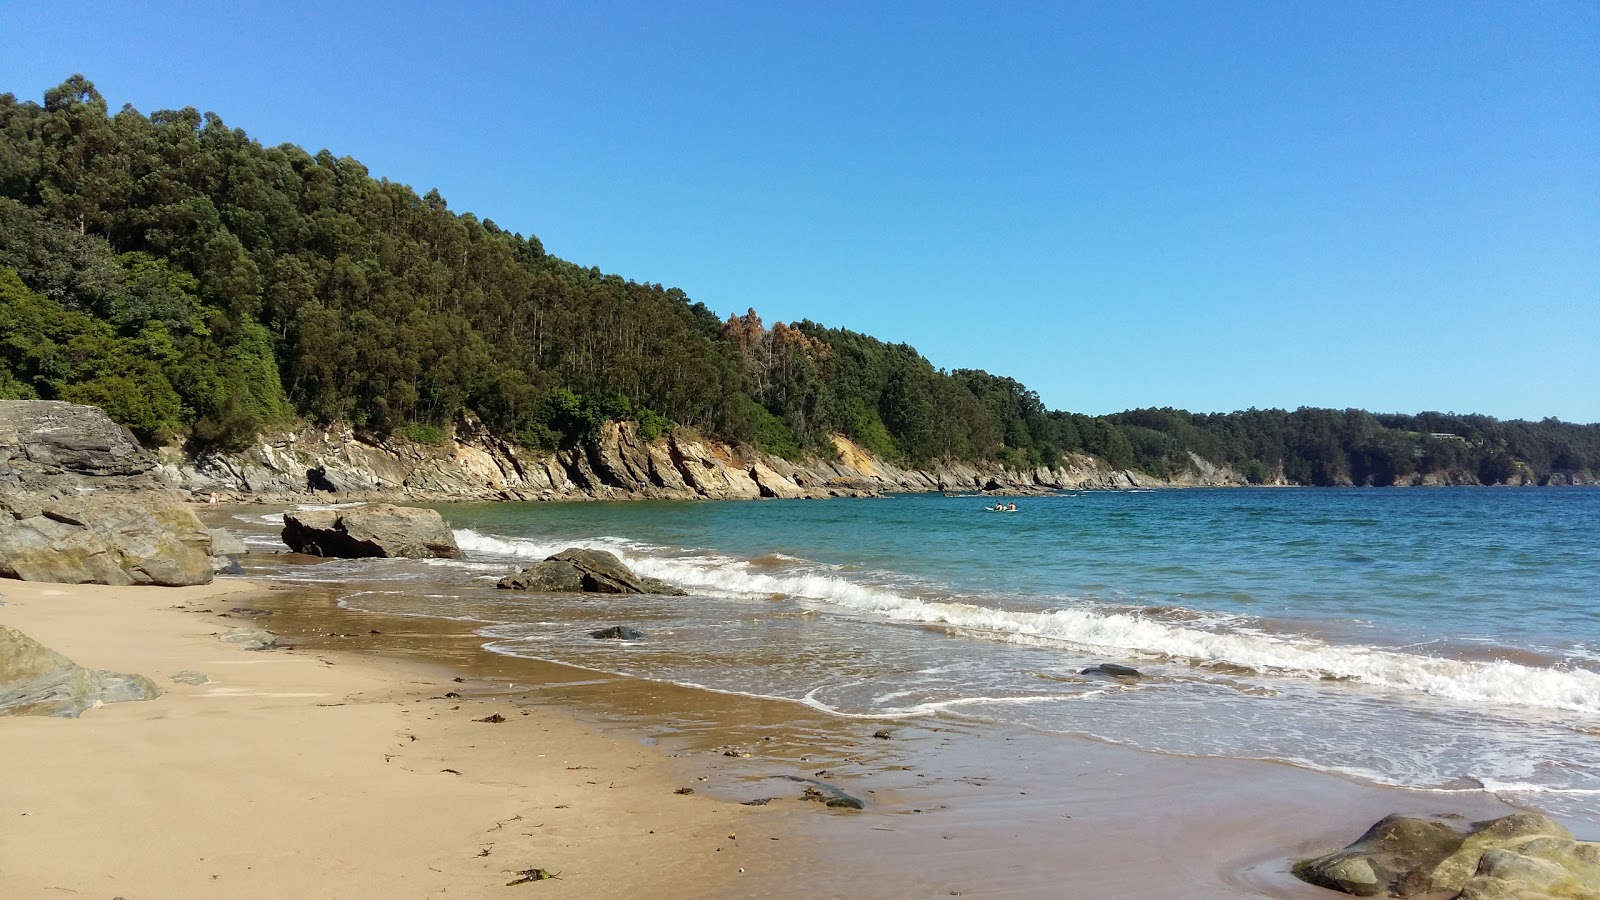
(1442, 640)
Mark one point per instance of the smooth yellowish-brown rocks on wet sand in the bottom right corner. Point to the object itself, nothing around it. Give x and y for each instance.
(1522, 856)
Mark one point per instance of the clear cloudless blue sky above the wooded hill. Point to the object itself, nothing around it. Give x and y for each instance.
(1206, 206)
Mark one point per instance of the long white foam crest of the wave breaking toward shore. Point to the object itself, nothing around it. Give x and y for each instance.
(1111, 633)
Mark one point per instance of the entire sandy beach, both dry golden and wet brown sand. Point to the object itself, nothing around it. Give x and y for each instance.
(343, 768)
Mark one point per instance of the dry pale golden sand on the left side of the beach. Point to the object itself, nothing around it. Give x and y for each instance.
(300, 774)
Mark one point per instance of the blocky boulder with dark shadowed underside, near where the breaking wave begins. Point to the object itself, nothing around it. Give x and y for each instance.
(375, 529)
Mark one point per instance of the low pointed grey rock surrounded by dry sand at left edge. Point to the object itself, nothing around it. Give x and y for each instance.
(38, 681)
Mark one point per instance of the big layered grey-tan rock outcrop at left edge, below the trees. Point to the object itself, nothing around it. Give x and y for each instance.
(79, 504)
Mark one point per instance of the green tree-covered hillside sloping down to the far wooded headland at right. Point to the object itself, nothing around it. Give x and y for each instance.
(202, 289)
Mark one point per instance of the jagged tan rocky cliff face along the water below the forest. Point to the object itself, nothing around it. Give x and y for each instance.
(617, 465)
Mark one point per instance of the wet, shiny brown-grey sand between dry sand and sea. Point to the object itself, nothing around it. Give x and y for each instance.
(954, 808)
